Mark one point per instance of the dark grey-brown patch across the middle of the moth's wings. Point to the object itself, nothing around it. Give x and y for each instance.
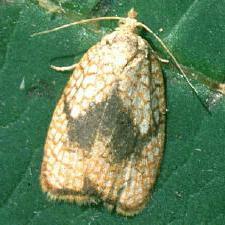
(110, 120)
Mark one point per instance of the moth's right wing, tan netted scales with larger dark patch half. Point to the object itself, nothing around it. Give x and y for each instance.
(125, 155)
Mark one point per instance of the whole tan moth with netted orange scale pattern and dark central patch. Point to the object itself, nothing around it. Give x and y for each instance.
(106, 138)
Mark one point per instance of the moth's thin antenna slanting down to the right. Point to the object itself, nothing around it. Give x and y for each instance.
(171, 55)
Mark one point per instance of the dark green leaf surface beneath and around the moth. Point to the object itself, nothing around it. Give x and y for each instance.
(190, 188)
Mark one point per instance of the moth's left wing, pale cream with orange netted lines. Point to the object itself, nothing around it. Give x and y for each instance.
(63, 171)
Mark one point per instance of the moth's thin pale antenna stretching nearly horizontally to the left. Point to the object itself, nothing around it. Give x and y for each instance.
(77, 23)
